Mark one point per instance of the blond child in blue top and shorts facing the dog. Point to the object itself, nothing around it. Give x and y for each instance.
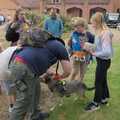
(80, 57)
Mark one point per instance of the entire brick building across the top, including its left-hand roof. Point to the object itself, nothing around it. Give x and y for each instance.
(65, 7)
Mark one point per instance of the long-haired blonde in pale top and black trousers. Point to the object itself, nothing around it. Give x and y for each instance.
(103, 54)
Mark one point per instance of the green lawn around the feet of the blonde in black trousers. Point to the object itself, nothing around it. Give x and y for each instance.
(74, 110)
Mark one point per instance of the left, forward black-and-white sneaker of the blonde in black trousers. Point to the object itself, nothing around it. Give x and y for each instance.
(93, 106)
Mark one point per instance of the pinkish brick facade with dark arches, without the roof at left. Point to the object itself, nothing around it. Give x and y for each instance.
(81, 7)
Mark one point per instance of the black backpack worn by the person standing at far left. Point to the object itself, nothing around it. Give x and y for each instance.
(11, 34)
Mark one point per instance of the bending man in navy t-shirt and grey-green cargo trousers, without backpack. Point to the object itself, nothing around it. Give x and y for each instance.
(26, 68)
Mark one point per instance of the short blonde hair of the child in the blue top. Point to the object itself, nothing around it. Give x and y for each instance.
(79, 21)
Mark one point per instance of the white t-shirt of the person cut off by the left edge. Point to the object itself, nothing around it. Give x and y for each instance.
(4, 61)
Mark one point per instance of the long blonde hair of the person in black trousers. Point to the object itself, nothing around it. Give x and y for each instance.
(99, 19)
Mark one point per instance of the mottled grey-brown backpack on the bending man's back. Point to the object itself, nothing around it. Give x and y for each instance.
(36, 37)
